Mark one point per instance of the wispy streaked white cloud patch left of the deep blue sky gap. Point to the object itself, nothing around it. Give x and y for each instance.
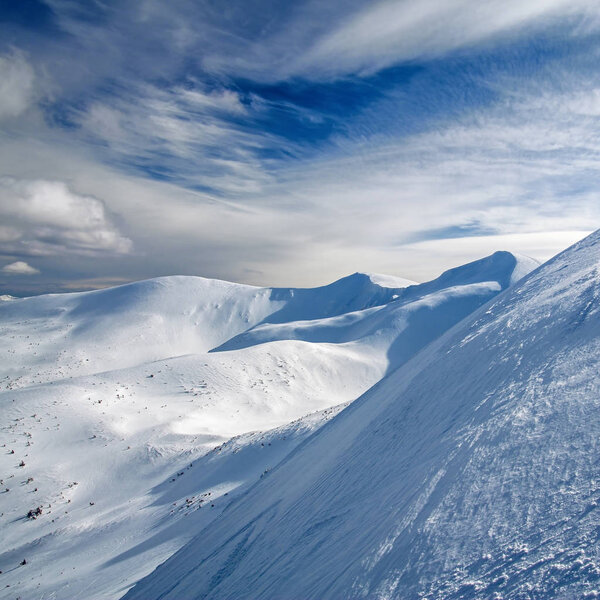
(184, 134)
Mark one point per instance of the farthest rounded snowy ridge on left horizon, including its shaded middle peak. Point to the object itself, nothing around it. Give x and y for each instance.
(65, 335)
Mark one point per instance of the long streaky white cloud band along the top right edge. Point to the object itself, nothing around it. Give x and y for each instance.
(321, 40)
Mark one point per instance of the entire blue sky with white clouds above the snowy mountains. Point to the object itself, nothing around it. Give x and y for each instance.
(290, 144)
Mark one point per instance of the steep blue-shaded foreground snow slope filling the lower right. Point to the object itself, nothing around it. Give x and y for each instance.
(470, 472)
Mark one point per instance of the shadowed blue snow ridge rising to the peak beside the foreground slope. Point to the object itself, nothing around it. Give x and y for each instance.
(396, 331)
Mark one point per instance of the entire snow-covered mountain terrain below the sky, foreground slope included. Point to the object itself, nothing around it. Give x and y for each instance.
(191, 438)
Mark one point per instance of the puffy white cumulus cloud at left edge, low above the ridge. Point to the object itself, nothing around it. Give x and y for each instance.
(44, 218)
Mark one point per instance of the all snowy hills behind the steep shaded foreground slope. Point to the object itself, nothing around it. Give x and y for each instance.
(134, 437)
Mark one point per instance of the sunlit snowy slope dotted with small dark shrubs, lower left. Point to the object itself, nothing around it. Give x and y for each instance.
(124, 435)
